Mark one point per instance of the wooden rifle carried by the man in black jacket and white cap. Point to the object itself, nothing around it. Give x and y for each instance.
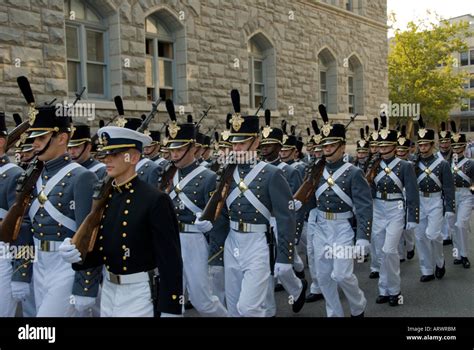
(86, 234)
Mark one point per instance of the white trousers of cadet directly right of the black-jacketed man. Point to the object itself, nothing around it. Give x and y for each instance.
(195, 252)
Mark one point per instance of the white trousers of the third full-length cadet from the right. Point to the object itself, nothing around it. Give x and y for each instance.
(388, 221)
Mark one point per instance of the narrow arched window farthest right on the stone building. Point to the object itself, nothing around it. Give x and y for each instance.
(355, 86)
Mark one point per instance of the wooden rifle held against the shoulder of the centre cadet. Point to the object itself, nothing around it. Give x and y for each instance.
(217, 201)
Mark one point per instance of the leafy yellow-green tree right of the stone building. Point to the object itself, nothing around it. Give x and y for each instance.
(423, 71)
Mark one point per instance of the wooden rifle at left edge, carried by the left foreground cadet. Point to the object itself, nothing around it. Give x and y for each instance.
(11, 224)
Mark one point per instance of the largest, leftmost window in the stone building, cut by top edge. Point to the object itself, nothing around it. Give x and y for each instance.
(86, 36)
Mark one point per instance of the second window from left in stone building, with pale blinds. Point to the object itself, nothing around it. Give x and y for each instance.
(160, 60)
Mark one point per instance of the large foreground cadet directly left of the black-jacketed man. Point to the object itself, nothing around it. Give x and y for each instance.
(60, 201)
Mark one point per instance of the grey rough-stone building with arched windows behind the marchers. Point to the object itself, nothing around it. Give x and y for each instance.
(297, 54)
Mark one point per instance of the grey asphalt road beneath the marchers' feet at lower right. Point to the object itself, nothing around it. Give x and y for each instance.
(453, 296)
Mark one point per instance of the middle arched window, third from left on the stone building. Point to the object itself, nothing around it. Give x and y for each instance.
(262, 72)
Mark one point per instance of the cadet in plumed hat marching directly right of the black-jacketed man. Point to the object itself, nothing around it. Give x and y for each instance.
(192, 186)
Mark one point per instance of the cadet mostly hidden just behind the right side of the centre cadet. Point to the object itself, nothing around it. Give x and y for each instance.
(270, 146)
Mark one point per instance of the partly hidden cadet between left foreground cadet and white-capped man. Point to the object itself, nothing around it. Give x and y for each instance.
(80, 146)
